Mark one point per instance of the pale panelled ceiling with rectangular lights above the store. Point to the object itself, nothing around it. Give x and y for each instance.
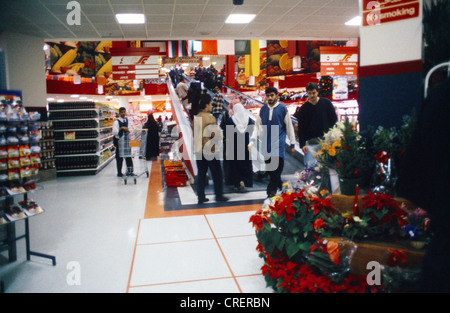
(182, 19)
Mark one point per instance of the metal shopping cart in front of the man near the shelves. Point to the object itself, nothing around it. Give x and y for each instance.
(134, 146)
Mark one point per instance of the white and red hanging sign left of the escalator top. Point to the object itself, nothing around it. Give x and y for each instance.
(135, 67)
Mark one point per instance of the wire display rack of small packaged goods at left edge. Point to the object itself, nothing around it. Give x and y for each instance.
(19, 169)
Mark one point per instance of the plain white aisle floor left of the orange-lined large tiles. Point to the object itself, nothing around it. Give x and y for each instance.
(90, 225)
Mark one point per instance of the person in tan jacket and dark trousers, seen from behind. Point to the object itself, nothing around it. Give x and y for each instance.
(207, 134)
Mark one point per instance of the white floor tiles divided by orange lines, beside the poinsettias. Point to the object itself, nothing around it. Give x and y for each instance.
(213, 252)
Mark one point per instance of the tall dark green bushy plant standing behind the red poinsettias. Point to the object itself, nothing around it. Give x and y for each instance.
(351, 158)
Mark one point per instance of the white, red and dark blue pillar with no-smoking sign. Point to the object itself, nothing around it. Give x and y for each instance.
(390, 75)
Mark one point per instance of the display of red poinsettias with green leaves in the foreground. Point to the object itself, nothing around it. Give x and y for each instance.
(335, 244)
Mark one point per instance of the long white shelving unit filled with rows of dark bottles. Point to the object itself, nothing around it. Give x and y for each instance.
(83, 137)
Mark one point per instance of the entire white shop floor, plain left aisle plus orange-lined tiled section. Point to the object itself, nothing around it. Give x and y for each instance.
(97, 222)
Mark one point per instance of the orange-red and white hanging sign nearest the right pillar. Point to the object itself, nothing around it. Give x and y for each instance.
(336, 61)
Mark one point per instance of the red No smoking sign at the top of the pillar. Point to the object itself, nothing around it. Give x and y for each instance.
(381, 12)
